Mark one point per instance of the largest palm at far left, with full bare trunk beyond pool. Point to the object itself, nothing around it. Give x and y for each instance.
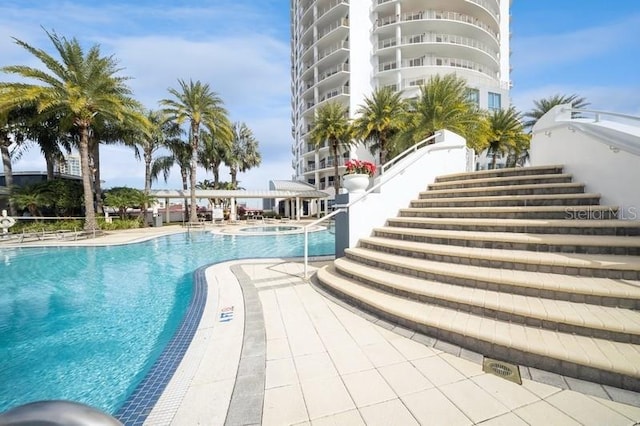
(80, 86)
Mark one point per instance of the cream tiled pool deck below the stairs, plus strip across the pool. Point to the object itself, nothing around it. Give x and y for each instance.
(272, 349)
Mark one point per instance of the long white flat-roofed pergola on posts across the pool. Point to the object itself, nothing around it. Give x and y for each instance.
(233, 195)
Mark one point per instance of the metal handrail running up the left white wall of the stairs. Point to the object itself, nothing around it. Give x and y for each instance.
(345, 207)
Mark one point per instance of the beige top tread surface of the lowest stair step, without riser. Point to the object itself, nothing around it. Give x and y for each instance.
(621, 358)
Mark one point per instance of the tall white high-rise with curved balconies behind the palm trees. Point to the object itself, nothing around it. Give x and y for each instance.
(342, 50)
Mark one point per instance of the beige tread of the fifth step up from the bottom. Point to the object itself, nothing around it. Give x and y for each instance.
(524, 238)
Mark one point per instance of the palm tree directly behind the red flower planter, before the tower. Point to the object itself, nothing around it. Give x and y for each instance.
(380, 119)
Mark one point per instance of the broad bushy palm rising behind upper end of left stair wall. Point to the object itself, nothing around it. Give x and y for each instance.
(443, 103)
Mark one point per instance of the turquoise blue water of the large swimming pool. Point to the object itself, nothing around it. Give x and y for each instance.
(86, 324)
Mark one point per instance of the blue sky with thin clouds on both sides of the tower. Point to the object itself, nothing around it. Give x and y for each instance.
(241, 49)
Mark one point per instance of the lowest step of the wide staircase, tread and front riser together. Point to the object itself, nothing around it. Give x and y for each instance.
(613, 363)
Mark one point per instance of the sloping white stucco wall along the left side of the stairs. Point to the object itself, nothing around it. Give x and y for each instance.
(448, 155)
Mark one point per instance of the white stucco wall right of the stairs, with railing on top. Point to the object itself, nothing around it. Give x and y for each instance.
(602, 155)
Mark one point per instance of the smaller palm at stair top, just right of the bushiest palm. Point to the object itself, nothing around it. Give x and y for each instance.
(506, 133)
